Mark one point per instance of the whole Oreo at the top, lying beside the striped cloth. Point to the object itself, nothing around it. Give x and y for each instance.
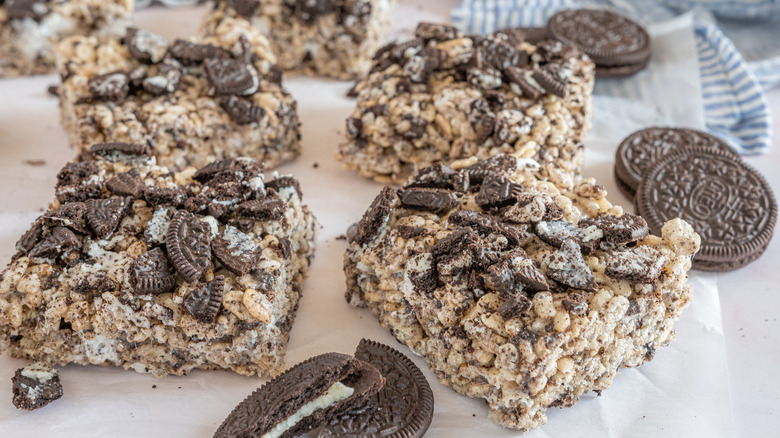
(618, 46)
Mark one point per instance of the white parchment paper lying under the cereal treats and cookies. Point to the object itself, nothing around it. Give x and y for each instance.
(682, 392)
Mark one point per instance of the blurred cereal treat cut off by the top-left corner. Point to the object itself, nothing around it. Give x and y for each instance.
(30, 29)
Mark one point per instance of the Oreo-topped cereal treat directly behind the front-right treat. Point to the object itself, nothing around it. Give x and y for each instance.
(444, 96)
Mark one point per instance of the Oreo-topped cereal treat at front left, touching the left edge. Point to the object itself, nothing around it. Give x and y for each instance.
(161, 272)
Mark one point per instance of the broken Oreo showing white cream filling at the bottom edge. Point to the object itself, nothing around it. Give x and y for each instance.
(304, 397)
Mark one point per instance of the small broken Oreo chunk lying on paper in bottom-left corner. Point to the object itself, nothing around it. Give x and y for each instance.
(35, 386)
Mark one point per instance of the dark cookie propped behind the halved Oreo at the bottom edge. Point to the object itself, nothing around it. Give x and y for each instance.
(402, 409)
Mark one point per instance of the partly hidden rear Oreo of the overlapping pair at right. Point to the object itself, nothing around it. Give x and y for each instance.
(643, 148)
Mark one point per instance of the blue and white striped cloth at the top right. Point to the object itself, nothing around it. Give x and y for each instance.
(735, 104)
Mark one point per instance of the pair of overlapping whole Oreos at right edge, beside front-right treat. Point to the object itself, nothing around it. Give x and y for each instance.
(677, 172)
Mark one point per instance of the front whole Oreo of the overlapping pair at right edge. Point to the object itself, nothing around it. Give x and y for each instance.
(726, 201)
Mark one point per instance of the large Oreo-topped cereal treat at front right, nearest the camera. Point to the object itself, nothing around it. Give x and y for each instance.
(521, 290)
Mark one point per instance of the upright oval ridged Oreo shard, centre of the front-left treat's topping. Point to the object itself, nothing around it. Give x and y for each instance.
(189, 245)
